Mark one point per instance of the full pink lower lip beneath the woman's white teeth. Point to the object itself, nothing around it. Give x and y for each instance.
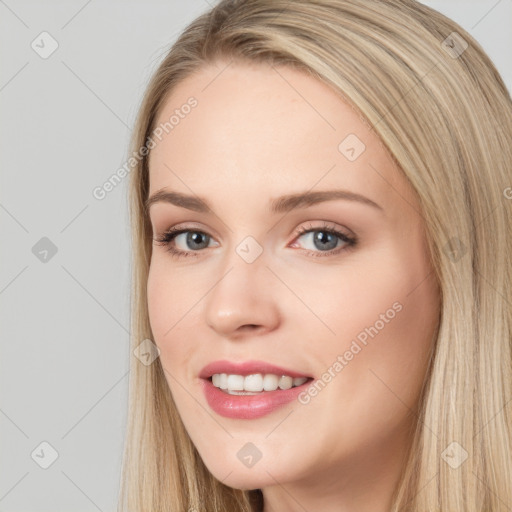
(249, 407)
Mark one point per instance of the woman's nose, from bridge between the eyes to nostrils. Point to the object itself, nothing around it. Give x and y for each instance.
(243, 294)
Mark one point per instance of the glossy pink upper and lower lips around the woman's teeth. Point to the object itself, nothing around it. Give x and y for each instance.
(247, 406)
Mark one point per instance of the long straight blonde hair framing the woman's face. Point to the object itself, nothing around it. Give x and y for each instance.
(444, 114)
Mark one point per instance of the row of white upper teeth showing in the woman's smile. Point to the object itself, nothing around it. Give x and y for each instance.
(255, 383)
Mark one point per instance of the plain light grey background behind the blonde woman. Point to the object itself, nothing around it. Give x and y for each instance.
(65, 317)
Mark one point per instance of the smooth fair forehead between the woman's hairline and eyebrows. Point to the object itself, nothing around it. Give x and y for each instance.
(267, 130)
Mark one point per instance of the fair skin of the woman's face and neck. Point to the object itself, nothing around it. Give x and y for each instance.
(258, 133)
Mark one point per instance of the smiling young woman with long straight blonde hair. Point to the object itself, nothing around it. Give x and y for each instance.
(340, 339)
